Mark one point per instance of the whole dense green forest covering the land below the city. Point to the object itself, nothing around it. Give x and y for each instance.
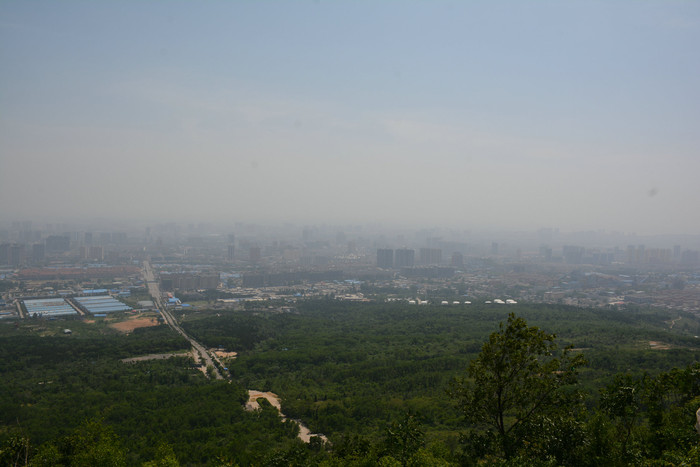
(386, 383)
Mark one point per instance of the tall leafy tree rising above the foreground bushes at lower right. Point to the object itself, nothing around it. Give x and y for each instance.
(518, 377)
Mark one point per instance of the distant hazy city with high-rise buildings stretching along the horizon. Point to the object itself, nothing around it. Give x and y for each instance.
(232, 265)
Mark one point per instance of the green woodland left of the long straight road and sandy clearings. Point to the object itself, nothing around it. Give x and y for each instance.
(54, 388)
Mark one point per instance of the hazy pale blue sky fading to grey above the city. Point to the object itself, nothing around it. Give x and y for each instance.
(577, 115)
